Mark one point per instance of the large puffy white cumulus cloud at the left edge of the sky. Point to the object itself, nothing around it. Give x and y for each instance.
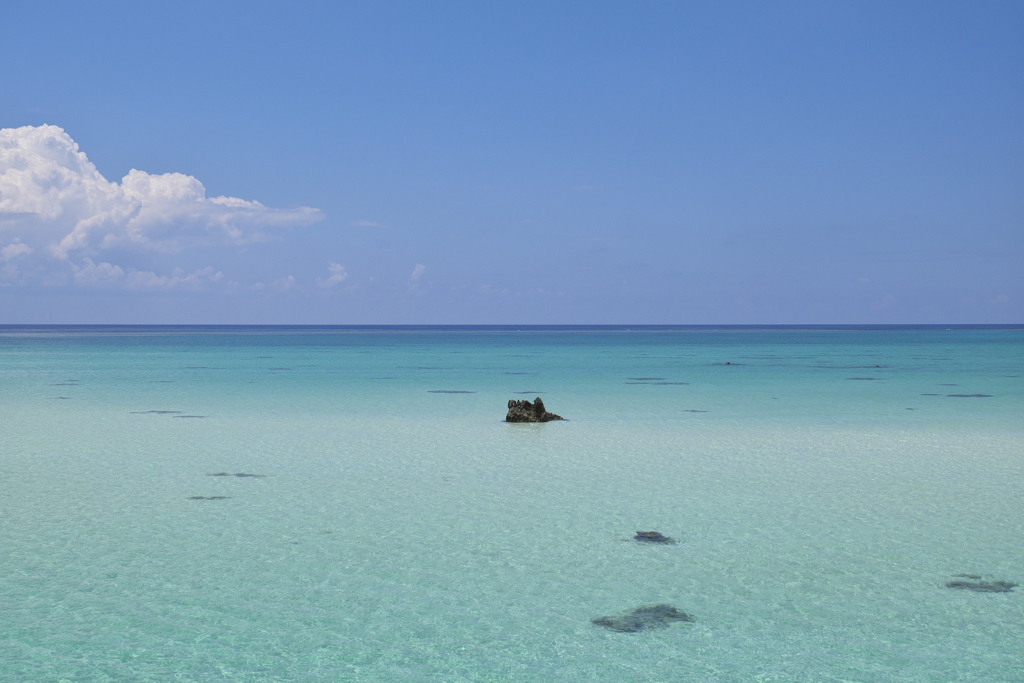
(54, 200)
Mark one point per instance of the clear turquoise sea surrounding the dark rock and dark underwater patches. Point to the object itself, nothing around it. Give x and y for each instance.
(402, 535)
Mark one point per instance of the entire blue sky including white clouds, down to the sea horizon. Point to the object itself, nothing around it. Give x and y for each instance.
(529, 162)
